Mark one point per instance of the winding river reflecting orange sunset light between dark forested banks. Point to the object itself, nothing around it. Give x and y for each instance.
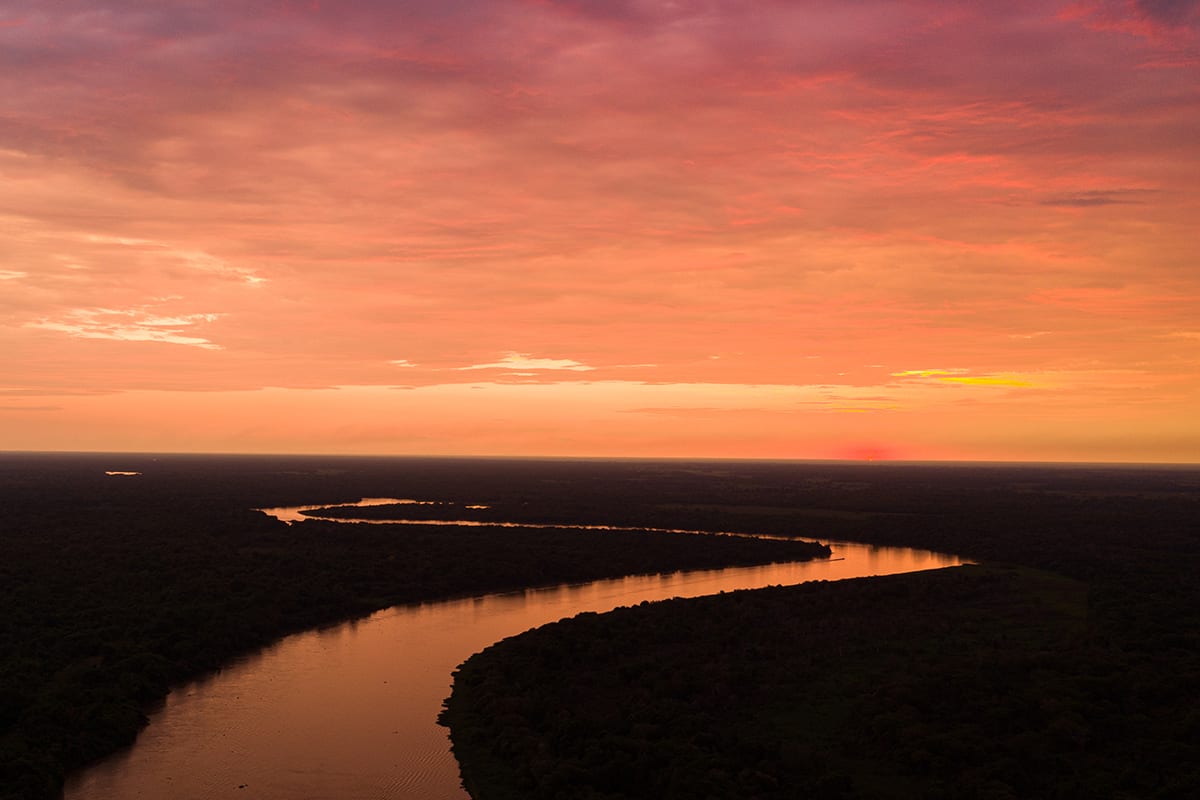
(351, 711)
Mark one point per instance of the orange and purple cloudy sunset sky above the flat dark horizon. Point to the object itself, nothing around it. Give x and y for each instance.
(727, 228)
